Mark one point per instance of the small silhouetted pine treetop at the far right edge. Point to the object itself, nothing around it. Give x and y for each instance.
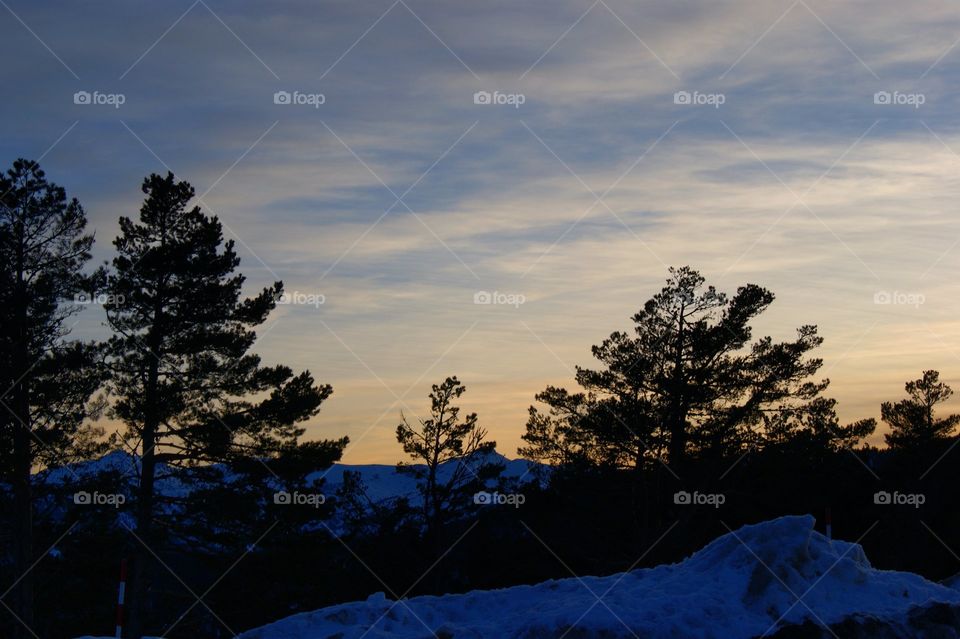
(912, 421)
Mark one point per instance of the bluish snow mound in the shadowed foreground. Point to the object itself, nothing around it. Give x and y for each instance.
(744, 584)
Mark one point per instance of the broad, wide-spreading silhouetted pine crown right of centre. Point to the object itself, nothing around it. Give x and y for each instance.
(688, 380)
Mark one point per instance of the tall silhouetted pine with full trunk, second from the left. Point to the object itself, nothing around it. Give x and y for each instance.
(186, 386)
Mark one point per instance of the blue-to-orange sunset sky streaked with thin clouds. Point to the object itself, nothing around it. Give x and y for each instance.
(394, 162)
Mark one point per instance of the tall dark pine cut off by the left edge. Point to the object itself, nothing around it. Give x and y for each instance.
(47, 382)
